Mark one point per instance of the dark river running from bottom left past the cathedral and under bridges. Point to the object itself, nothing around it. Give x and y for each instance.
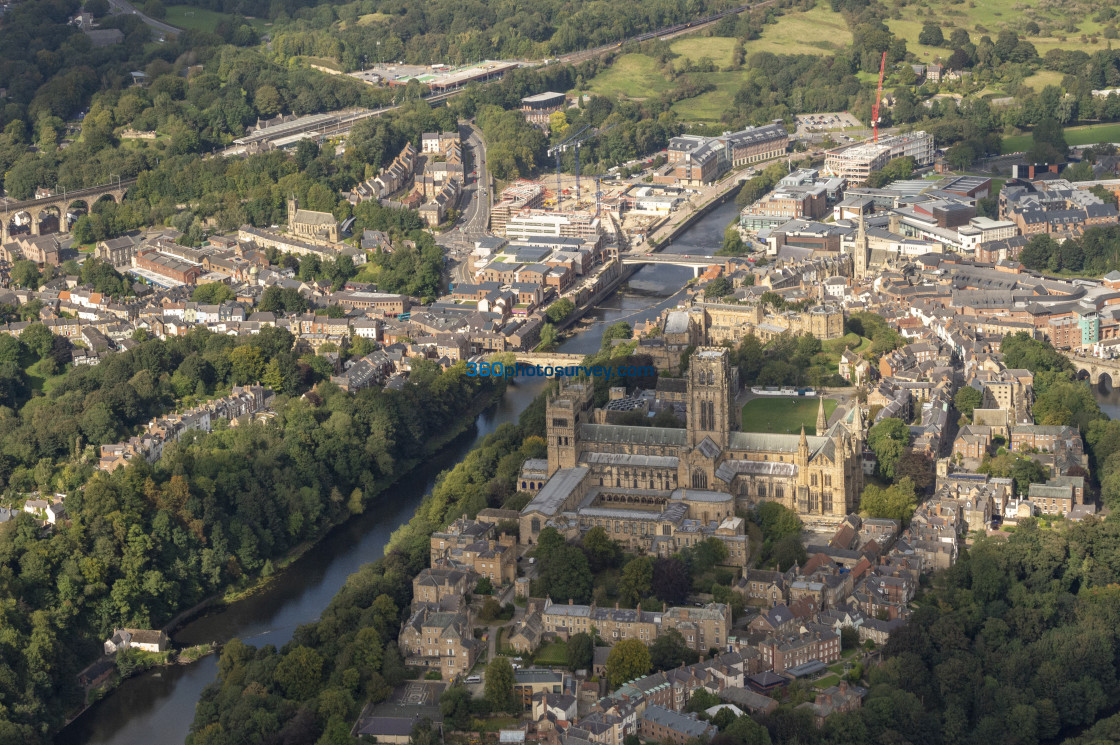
(160, 706)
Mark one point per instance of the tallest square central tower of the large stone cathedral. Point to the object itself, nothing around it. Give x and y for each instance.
(712, 401)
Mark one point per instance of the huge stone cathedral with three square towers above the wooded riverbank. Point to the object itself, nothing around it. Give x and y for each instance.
(648, 485)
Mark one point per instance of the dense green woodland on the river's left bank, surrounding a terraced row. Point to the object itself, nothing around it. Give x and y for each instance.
(217, 510)
